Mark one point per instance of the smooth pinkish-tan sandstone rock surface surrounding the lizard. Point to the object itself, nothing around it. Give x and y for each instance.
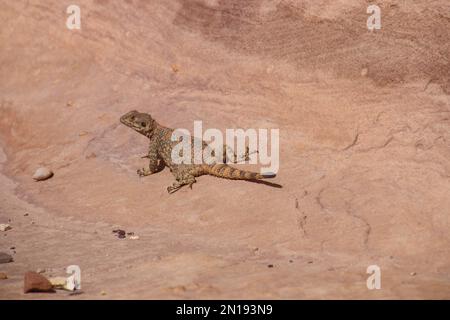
(364, 121)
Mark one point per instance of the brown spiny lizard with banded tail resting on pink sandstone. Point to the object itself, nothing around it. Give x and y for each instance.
(160, 155)
